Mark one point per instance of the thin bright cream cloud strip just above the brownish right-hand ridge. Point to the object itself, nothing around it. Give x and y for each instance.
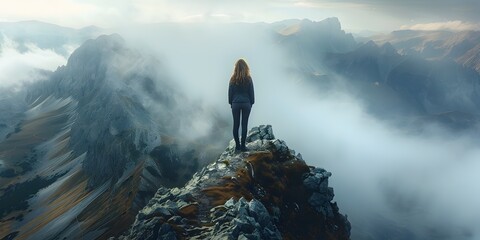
(448, 26)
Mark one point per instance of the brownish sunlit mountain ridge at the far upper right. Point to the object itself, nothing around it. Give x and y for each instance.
(462, 47)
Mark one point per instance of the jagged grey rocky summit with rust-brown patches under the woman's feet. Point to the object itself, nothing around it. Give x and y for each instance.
(267, 192)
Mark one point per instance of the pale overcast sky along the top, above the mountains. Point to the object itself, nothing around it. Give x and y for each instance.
(356, 15)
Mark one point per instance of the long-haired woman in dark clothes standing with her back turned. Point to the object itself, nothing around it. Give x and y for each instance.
(241, 99)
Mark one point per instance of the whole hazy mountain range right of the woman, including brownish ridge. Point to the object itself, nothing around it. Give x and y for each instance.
(405, 76)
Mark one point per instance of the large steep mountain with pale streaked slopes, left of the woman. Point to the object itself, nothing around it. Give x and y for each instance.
(96, 140)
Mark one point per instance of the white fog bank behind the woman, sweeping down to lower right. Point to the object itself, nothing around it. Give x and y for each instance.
(392, 183)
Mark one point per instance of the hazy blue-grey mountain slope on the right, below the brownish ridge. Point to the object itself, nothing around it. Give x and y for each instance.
(402, 88)
